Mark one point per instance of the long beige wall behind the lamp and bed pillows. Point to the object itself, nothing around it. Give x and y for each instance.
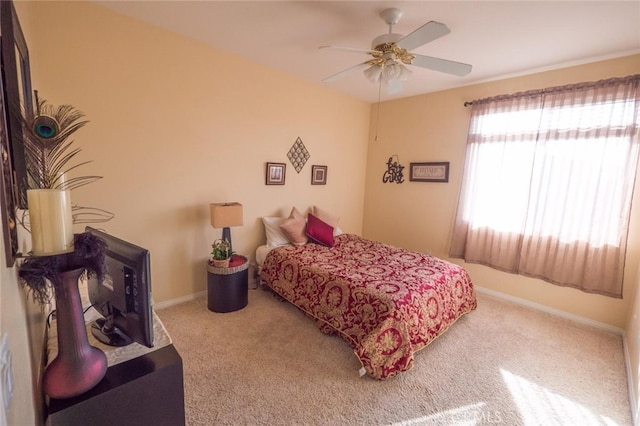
(176, 125)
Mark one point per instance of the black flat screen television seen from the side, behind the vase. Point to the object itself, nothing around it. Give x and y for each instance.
(123, 298)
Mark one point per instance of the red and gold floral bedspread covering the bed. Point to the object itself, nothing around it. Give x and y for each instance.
(386, 302)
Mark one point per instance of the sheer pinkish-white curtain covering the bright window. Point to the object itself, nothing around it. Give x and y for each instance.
(548, 182)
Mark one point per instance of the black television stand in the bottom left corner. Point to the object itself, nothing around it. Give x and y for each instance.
(144, 390)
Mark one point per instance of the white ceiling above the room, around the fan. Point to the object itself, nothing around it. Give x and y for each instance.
(499, 38)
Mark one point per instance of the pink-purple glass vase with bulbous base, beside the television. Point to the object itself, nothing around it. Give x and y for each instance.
(78, 366)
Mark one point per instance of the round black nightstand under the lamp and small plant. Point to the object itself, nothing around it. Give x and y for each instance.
(228, 288)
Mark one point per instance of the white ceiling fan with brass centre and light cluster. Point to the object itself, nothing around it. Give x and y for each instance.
(391, 52)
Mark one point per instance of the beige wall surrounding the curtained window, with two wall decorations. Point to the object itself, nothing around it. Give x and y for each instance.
(420, 216)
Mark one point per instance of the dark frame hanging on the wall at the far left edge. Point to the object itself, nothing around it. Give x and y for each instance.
(16, 81)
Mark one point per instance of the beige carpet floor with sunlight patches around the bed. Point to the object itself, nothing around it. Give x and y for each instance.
(268, 364)
